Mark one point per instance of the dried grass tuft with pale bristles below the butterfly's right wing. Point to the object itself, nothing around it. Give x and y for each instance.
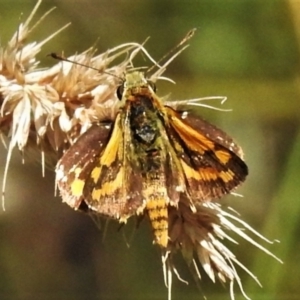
(199, 234)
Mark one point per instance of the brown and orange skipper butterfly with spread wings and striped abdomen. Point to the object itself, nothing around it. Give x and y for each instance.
(147, 160)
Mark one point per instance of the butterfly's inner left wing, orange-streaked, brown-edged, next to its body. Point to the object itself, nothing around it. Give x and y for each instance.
(114, 186)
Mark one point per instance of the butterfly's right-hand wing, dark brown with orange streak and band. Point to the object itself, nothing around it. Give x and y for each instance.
(210, 160)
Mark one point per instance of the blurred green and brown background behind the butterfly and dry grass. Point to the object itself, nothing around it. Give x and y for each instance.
(246, 50)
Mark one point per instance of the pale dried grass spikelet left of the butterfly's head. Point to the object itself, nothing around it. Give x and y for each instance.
(47, 109)
